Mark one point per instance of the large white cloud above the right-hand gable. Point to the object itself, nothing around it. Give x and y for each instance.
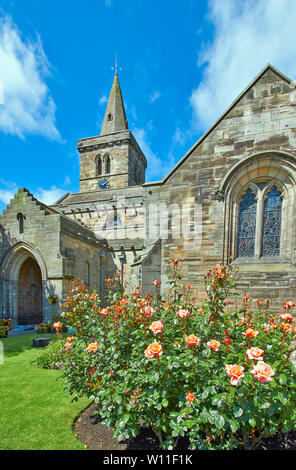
(248, 35)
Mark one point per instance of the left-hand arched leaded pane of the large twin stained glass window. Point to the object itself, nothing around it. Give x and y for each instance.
(247, 224)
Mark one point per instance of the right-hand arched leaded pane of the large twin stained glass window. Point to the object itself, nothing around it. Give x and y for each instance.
(272, 218)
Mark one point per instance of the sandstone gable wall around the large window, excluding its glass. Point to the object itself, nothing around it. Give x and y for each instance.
(260, 130)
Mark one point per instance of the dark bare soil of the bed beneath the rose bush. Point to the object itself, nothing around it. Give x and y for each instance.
(99, 437)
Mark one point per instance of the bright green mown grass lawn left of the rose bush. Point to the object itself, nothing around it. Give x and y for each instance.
(35, 412)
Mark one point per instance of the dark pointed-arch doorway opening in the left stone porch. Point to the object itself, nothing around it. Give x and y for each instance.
(29, 293)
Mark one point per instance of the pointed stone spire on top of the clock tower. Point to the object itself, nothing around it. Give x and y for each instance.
(115, 118)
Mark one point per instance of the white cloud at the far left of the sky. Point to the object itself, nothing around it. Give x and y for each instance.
(28, 107)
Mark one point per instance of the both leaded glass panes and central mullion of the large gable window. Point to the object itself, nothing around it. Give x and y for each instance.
(259, 222)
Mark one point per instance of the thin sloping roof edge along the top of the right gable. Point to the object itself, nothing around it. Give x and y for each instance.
(288, 80)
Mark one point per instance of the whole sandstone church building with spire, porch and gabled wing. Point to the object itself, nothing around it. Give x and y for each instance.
(230, 198)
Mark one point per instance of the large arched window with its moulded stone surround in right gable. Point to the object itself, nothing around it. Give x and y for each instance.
(259, 209)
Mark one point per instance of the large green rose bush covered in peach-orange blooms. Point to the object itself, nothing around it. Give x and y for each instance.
(220, 375)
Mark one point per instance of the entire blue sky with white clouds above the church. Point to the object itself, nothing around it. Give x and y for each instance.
(181, 64)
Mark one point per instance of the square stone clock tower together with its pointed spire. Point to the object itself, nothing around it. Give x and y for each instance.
(112, 160)
